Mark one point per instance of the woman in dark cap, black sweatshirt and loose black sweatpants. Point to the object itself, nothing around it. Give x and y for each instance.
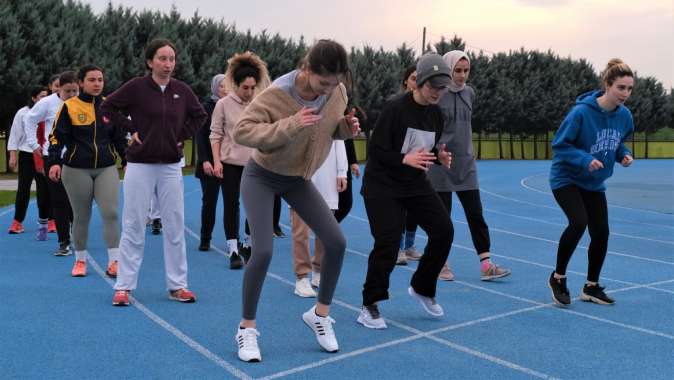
(402, 148)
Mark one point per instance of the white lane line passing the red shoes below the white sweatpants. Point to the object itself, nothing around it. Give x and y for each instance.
(222, 363)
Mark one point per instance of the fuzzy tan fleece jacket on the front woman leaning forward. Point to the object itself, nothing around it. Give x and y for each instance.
(270, 125)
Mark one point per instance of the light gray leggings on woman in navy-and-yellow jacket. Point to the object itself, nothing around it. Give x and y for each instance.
(85, 185)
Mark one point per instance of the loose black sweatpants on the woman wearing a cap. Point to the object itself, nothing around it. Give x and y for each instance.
(387, 216)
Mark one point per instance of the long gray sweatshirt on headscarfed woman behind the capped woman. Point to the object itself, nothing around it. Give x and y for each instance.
(457, 108)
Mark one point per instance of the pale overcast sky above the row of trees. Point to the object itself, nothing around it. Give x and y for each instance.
(640, 32)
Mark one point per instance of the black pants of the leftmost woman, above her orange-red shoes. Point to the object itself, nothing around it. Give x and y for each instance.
(27, 174)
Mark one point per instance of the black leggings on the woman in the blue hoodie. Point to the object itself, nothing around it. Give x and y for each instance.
(583, 208)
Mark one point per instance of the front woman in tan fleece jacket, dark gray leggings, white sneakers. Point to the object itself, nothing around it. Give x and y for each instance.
(292, 125)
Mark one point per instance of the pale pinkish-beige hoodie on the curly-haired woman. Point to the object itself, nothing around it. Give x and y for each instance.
(226, 113)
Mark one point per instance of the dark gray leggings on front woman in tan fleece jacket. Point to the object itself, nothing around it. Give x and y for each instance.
(258, 187)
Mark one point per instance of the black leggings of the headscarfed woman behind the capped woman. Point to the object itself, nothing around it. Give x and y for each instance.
(472, 208)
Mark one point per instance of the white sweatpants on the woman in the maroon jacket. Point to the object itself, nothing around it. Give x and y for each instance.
(140, 182)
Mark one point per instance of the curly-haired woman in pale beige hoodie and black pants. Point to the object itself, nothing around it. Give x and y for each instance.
(248, 75)
